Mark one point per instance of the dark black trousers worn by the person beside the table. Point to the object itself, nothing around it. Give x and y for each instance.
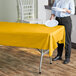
(67, 23)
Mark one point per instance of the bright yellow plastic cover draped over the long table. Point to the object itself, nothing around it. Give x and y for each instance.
(31, 35)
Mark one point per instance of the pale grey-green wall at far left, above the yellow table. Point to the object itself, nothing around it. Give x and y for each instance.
(8, 10)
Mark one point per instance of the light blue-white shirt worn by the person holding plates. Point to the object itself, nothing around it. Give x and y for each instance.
(69, 4)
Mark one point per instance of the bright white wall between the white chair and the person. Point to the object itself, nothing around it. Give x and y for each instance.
(43, 14)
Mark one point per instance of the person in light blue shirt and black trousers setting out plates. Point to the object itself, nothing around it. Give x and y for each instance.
(64, 19)
